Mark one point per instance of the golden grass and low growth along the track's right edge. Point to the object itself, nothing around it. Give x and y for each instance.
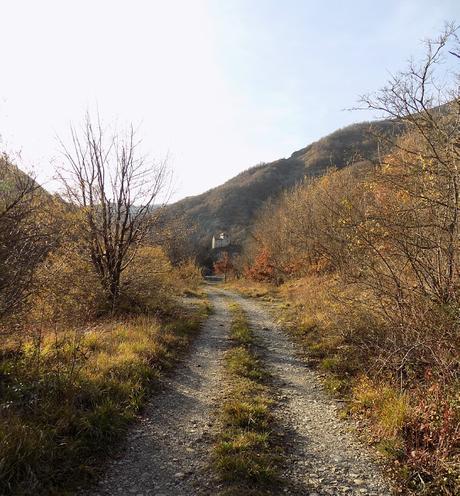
(414, 427)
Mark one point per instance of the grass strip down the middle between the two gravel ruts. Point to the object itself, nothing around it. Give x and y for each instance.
(246, 456)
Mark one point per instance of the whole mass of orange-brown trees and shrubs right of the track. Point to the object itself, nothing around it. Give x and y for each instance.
(377, 247)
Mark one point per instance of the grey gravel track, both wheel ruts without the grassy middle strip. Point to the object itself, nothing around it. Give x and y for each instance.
(168, 451)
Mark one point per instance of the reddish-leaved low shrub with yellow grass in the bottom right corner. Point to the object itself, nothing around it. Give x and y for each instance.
(419, 429)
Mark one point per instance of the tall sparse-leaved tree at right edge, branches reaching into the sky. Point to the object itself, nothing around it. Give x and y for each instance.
(425, 98)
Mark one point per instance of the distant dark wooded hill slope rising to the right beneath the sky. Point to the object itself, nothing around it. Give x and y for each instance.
(232, 206)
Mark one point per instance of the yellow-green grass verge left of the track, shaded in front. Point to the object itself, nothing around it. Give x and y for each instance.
(69, 397)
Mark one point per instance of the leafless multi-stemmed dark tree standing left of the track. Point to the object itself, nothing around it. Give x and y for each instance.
(116, 188)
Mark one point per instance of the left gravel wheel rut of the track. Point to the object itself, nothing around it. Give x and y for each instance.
(167, 452)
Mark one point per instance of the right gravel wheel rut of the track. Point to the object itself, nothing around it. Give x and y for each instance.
(324, 456)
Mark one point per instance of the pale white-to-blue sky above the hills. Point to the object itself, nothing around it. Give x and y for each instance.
(216, 86)
